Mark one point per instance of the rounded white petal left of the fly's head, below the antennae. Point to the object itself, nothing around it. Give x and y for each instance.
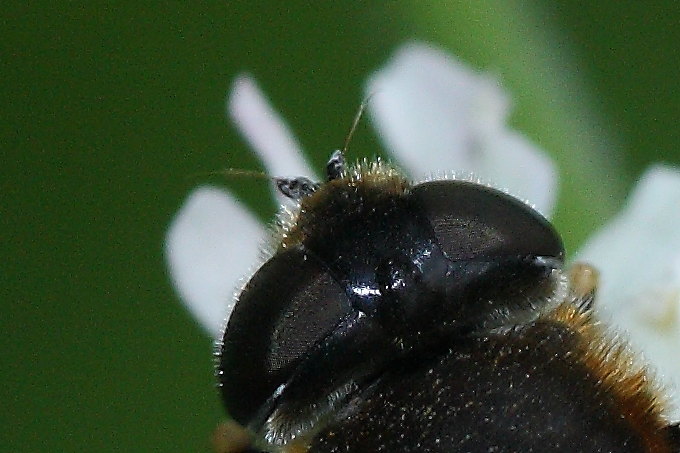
(211, 244)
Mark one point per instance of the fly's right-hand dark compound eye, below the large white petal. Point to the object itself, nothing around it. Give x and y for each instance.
(471, 221)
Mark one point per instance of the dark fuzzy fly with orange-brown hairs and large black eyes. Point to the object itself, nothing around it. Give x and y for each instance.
(434, 317)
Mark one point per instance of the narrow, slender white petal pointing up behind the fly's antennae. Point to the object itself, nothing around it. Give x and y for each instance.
(265, 130)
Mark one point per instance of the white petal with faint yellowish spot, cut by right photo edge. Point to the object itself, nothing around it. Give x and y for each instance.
(638, 254)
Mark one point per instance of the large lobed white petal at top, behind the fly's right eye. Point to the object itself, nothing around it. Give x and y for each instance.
(436, 114)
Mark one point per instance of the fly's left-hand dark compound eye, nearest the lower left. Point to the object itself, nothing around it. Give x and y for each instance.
(290, 305)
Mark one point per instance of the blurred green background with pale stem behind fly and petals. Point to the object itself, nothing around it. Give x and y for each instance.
(109, 109)
